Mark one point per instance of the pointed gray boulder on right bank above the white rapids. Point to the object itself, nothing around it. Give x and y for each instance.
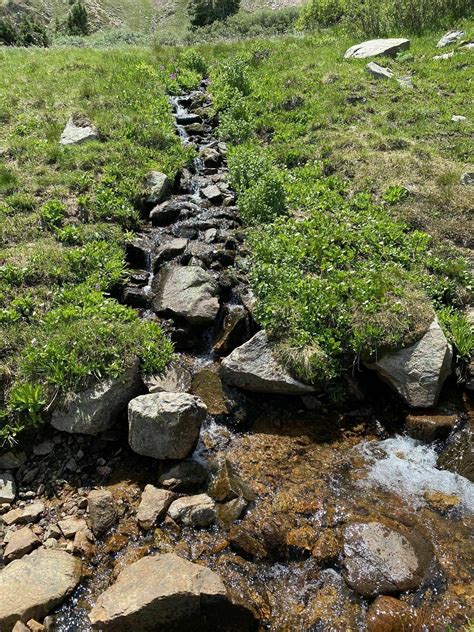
(418, 372)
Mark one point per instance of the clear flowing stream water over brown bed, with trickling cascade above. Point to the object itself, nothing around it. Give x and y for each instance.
(310, 472)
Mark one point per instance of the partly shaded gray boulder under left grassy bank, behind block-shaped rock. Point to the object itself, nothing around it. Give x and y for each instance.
(96, 409)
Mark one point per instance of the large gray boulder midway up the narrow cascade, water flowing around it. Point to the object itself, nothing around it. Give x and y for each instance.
(189, 292)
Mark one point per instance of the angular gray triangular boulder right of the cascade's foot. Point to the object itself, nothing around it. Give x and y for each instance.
(254, 367)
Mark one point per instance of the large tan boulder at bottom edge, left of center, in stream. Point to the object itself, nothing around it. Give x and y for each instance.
(166, 592)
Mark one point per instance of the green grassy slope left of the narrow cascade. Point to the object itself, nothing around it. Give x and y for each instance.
(65, 213)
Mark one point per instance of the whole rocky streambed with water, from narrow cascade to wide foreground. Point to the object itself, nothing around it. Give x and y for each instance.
(234, 498)
